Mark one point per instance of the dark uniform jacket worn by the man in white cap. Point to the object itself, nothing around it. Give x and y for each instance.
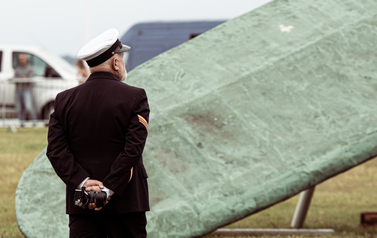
(98, 130)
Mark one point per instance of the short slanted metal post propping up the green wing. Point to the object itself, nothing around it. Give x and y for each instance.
(302, 208)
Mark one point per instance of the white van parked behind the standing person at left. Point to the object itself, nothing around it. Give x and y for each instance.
(52, 75)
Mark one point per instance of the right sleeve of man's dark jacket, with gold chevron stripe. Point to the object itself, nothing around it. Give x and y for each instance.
(136, 137)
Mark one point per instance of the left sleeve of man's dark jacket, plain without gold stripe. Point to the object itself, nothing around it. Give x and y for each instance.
(62, 160)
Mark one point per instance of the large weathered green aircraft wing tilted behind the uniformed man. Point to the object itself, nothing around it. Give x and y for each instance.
(244, 116)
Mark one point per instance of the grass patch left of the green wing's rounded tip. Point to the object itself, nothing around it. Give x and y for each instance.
(17, 151)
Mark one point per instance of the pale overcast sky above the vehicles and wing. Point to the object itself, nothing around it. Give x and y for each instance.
(64, 26)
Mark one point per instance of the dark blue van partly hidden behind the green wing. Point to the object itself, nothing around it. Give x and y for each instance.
(150, 39)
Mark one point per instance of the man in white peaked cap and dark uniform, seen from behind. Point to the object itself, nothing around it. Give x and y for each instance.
(96, 138)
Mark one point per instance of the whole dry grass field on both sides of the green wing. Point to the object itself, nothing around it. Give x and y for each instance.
(337, 203)
